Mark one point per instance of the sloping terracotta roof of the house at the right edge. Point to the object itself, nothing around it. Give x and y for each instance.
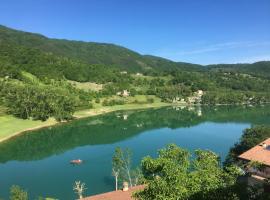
(260, 153)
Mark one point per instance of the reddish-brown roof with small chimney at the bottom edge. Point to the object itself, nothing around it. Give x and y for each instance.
(116, 195)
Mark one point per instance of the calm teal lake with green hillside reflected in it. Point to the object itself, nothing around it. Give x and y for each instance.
(38, 161)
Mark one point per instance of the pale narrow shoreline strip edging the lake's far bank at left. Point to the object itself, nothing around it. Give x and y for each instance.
(85, 114)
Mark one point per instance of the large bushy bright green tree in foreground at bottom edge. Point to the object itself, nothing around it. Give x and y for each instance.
(173, 175)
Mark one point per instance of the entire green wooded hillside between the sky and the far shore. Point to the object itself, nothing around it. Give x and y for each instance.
(34, 68)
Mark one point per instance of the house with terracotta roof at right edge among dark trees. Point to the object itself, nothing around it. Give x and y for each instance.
(257, 163)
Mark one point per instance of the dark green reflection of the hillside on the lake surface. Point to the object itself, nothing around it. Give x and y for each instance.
(119, 126)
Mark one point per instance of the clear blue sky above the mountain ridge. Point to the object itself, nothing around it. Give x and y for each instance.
(197, 31)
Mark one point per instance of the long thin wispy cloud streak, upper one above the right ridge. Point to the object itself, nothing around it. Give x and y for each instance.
(215, 47)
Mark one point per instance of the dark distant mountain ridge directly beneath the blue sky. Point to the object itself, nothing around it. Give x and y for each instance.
(115, 56)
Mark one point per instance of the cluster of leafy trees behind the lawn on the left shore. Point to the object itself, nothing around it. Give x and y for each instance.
(40, 101)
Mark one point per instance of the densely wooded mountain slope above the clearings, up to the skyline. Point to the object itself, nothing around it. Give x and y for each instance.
(89, 61)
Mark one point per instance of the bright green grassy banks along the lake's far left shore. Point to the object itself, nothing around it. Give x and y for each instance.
(11, 126)
